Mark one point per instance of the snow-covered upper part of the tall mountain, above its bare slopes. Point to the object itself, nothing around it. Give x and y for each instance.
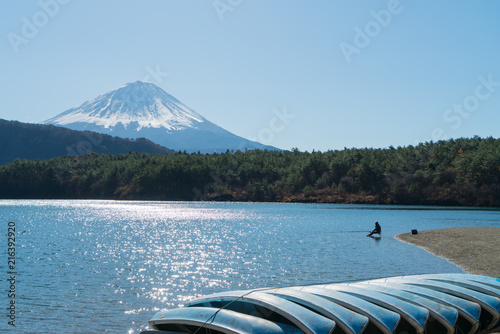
(143, 104)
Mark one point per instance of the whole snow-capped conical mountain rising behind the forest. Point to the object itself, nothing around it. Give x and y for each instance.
(142, 109)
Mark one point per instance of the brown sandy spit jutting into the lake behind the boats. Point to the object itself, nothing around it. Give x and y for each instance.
(475, 249)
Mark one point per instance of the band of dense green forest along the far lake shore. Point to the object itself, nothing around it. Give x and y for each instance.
(462, 172)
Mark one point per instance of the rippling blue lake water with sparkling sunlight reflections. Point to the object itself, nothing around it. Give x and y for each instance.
(108, 266)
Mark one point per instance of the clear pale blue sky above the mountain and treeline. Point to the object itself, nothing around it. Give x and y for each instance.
(353, 74)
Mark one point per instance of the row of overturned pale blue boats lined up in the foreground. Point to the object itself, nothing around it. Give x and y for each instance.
(434, 303)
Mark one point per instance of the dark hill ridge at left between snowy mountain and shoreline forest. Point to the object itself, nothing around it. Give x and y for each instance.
(35, 141)
